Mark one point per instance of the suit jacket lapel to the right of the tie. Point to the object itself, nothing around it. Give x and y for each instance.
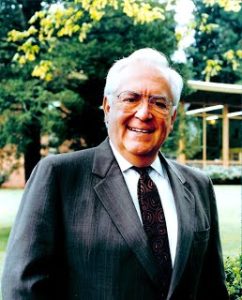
(185, 206)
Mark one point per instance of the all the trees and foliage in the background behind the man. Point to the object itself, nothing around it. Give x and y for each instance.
(53, 65)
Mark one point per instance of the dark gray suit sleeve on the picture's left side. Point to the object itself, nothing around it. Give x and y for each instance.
(32, 257)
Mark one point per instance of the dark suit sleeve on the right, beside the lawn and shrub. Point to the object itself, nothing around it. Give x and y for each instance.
(212, 283)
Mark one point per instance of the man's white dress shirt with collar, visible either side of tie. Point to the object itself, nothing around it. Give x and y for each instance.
(159, 176)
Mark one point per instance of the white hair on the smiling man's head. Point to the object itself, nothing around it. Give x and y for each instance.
(148, 57)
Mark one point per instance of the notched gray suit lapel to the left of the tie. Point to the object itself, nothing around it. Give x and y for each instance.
(112, 191)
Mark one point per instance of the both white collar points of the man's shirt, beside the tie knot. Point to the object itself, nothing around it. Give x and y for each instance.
(125, 165)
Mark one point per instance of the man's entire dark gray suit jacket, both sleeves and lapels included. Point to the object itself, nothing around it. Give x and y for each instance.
(77, 235)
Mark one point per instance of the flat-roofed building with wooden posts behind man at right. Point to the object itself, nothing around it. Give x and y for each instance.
(221, 105)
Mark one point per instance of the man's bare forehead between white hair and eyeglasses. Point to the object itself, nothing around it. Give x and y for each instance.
(143, 79)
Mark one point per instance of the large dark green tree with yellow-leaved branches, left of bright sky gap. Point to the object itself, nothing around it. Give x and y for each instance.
(68, 48)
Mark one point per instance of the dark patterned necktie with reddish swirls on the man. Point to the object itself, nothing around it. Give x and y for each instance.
(155, 226)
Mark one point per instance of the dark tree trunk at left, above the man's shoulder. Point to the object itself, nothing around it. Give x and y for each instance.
(32, 150)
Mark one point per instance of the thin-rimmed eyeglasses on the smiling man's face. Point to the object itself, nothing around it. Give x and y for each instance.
(131, 100)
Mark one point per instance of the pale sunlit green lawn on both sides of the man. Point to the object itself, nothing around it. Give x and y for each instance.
(229, 208)
